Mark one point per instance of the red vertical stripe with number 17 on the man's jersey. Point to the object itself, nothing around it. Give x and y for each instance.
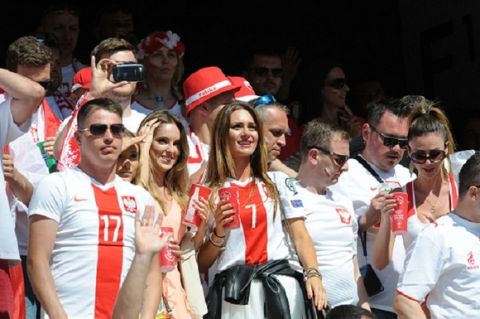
(110, 251)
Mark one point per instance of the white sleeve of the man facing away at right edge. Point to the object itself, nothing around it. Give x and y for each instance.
(423, 265)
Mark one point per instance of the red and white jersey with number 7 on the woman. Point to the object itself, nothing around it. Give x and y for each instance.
(260, 237)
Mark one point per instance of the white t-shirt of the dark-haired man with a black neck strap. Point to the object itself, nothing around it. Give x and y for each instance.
(360, 187)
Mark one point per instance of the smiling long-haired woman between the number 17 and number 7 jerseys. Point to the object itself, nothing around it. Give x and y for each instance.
(163, 172)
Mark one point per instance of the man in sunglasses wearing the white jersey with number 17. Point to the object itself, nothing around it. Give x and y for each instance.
(82, 222)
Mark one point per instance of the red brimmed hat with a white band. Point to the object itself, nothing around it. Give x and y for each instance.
(205, 84)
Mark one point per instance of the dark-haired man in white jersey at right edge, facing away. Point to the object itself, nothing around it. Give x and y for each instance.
(443, 268)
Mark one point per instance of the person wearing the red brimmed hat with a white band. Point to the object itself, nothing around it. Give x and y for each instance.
(206, 91)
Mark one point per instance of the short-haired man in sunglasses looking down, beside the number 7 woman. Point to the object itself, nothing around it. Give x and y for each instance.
(329, 220)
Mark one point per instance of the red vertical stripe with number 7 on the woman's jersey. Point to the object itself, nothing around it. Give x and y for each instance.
(255, 224)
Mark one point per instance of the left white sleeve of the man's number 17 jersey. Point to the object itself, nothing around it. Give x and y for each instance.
(49, 198)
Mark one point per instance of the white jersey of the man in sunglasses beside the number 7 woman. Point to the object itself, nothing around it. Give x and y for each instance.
(333, 228)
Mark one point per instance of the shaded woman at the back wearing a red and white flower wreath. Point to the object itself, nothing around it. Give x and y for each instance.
(161, 53)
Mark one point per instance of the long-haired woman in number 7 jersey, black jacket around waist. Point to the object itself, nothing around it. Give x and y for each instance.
(248, 271)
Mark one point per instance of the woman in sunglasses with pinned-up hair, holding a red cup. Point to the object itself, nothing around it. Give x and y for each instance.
(434, 192)
